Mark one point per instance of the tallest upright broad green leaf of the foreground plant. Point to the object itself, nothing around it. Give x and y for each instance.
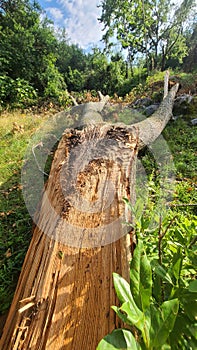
(141, 278)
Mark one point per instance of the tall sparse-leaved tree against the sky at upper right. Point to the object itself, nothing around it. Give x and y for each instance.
(153, 29)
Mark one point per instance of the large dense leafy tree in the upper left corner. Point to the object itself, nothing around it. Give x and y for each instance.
(28, 46)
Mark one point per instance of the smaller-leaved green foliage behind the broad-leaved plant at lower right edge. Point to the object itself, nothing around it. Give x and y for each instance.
(172, 252)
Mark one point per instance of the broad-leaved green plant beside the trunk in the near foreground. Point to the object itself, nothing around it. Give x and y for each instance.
(149, 323)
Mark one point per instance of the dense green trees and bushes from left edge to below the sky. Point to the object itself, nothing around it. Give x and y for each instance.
(35, 55)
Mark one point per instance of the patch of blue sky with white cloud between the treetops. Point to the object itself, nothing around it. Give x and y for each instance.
(78, 17)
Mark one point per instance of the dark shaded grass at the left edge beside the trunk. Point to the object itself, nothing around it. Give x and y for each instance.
(15, 236)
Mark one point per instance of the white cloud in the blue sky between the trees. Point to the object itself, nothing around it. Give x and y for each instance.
(81, 24)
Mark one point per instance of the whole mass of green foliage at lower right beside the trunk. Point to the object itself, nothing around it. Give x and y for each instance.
(164, 280)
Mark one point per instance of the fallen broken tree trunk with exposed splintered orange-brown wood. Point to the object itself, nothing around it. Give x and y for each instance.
(65, 289)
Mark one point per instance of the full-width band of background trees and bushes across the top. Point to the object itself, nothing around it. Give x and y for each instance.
(38, 64)
